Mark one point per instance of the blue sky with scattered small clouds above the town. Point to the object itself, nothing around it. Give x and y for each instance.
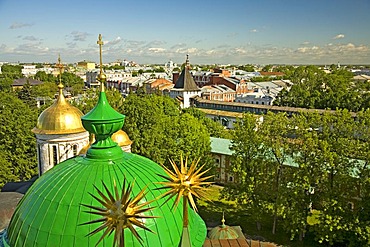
(210, 31)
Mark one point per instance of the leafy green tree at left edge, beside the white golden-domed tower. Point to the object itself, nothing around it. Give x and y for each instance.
(17, 142)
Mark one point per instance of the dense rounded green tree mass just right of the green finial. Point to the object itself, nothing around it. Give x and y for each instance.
(160, 131)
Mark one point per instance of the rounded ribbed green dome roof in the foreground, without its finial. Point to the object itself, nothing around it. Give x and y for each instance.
(50, 213)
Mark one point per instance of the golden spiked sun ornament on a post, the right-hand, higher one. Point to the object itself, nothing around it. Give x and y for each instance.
(185, 183)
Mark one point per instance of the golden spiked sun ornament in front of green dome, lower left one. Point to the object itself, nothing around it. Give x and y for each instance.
(119, 212)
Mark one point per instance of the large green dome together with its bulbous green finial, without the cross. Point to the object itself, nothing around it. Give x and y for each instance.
(53, 211)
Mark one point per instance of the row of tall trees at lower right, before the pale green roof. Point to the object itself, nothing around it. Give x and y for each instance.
(309, 172)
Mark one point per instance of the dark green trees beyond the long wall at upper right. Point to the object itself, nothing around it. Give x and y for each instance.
(313, 88)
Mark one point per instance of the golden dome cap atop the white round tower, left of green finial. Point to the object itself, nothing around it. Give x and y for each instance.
(59, 118)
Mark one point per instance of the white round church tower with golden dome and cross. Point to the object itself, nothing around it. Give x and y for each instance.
(59, 131)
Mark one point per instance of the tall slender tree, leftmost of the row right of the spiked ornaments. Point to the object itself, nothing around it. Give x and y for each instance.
(247, 163)
